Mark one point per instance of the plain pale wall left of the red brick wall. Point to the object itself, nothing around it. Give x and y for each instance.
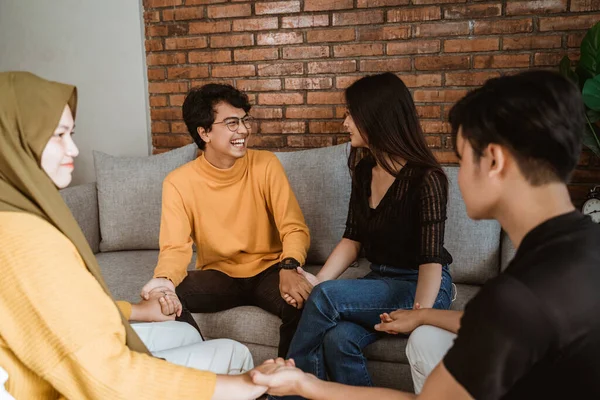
(97, 46)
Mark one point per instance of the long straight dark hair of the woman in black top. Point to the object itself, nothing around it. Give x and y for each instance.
(385, 115)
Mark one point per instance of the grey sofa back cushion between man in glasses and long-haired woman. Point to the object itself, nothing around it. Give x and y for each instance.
(321, 181)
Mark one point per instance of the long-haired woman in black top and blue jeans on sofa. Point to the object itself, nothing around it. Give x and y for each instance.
(396, 216)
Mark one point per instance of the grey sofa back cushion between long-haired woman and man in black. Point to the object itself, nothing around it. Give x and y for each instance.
(474, 245)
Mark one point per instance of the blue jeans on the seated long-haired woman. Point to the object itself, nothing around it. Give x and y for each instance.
(339, 317)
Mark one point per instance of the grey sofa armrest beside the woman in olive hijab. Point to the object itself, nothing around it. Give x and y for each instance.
(83, 202)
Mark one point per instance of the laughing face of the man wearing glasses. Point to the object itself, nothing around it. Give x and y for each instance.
(223, 146)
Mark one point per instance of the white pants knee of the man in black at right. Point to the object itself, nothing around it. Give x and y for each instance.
(426, 347)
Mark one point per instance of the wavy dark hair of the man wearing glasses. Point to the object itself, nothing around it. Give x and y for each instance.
(199, 106)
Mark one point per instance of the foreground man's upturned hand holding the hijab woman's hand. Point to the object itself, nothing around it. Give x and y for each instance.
(281, 376)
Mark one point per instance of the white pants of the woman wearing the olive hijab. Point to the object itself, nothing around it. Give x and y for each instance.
(181, 344)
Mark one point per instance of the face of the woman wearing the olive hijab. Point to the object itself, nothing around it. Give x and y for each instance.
(59, 153)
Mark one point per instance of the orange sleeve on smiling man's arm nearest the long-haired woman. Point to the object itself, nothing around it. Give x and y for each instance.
(286, 212)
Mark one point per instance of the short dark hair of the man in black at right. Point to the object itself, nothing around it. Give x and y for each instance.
(537, 115)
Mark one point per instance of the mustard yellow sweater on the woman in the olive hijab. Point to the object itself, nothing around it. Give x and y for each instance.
(61, 336)
